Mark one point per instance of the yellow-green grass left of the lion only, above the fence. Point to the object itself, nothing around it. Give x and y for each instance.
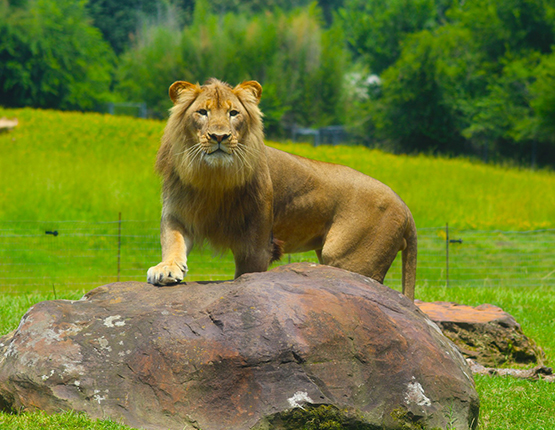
(74, 166)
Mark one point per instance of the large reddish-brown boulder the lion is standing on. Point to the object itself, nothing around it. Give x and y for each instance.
(258, 352)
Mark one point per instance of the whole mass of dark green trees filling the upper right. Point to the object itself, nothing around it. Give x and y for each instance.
(479, 81)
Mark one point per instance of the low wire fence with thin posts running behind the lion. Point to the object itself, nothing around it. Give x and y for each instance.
(78, 255)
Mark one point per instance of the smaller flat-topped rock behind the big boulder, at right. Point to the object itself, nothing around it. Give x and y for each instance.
(486, 334)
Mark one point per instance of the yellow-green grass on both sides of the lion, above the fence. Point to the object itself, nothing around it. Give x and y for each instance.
(73, 166)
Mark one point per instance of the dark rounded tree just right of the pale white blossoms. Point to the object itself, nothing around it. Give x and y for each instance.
(417, 109)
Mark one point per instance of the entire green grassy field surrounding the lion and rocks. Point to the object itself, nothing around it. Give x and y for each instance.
(57, 167)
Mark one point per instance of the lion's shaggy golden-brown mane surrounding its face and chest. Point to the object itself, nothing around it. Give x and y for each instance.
(215, 203)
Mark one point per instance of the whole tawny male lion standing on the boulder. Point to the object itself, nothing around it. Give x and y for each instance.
(223, 185)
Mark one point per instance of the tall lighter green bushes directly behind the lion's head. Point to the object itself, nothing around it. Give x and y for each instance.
(299, 64)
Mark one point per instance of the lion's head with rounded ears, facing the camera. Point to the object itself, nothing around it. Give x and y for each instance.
(214, 135)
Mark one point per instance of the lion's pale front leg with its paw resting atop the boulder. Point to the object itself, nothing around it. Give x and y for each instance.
(176, 245)
